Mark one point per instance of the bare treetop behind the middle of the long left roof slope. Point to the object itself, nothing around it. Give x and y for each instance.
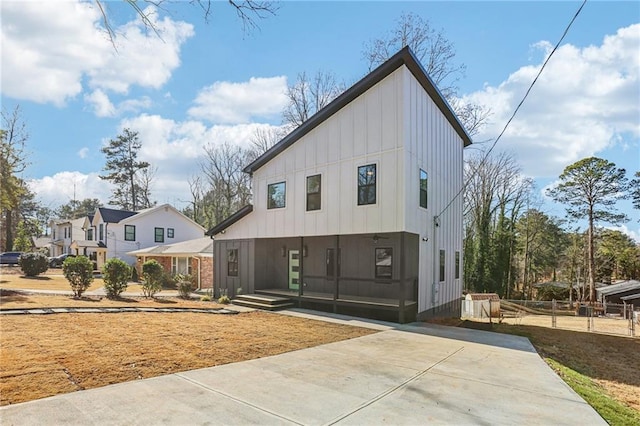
(309, 95)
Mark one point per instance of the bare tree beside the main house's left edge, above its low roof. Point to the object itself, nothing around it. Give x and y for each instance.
(229, 185)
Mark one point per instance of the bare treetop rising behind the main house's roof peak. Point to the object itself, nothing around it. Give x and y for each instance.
(437, 54)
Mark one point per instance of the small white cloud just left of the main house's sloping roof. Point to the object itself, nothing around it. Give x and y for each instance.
(231, 103)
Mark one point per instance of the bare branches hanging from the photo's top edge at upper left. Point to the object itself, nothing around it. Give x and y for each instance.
(249, 12)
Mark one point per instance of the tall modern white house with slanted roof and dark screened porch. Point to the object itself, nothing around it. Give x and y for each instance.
(358, 210)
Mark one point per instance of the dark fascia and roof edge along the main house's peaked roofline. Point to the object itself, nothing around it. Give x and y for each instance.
(403, 57)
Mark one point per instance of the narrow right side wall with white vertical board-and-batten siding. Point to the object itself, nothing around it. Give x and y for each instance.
(433, 146)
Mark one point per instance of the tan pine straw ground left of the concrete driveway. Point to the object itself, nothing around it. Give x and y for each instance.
(45, 355)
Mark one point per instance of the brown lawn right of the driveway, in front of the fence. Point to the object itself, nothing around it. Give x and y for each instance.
(612, 361)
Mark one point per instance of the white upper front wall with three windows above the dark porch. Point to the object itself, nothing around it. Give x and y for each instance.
(366, 131)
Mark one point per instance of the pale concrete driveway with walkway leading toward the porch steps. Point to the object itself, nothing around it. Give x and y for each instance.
(412, 374)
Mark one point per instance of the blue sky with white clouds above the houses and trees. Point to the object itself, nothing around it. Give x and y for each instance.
(206, 83)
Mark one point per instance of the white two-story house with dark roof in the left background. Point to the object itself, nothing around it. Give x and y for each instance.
(116, 232)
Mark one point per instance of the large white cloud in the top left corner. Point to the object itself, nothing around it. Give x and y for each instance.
(50, 47)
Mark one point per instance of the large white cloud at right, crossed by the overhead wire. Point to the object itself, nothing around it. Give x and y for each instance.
(585, 101)
